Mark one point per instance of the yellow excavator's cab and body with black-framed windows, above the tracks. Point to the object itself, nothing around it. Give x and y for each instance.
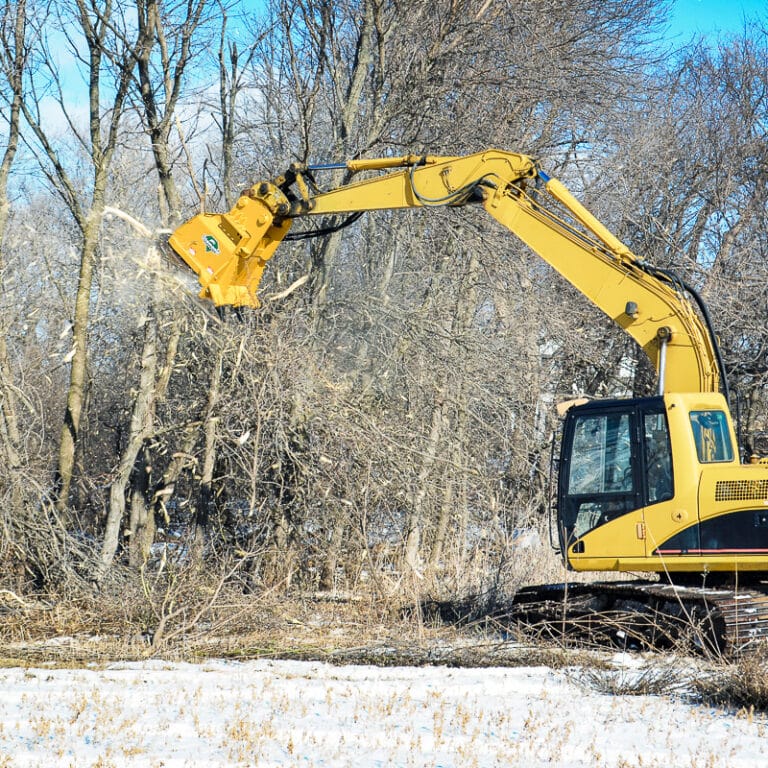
(655, 484)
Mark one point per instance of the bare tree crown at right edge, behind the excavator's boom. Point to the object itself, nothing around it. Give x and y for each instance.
(698, 177)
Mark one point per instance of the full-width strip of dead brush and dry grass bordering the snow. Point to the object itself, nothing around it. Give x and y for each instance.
(182, 612)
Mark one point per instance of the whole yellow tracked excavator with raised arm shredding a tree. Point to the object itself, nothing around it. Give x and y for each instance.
(650, 484)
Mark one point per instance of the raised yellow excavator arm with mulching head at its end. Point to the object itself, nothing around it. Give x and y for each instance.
(230, 251)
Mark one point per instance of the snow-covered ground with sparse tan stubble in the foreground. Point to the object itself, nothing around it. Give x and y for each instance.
(270, 713)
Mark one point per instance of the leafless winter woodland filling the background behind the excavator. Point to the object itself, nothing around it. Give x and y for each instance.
(384, 423)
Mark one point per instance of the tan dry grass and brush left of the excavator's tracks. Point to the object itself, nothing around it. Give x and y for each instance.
(186, 615)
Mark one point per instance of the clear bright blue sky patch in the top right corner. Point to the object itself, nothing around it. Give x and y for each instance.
(710, 17)
